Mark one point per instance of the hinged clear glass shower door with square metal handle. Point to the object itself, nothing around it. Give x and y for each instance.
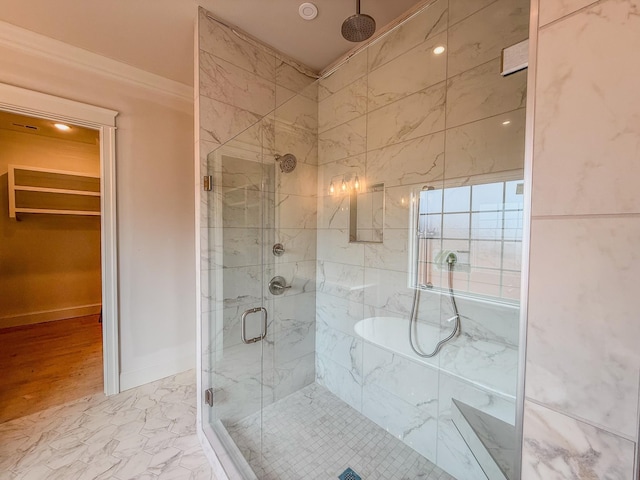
(238, 320)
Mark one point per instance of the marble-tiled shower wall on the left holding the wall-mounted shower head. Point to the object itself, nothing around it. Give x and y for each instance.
(254, 104)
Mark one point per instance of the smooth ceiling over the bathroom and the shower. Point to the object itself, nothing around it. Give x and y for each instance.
(157, 35)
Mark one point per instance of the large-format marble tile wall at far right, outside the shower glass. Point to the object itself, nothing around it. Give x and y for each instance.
(583, 366)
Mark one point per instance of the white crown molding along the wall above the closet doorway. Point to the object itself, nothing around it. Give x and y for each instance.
(23, 40)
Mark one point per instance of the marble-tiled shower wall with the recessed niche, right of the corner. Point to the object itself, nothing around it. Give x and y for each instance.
(399, 114)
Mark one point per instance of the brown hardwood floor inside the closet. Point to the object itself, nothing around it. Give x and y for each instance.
(48, 364)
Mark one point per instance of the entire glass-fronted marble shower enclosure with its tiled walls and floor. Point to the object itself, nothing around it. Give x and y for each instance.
(331, 201)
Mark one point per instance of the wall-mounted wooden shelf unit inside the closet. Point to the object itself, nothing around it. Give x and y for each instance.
(54, 192)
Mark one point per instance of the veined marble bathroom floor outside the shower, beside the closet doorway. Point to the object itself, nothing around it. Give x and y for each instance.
(146, 433)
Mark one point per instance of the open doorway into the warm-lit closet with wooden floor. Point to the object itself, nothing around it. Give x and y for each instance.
(50, 265)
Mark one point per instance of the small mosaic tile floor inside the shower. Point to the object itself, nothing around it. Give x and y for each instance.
(313, 434)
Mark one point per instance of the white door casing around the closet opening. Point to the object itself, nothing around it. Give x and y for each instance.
(28, 102)
